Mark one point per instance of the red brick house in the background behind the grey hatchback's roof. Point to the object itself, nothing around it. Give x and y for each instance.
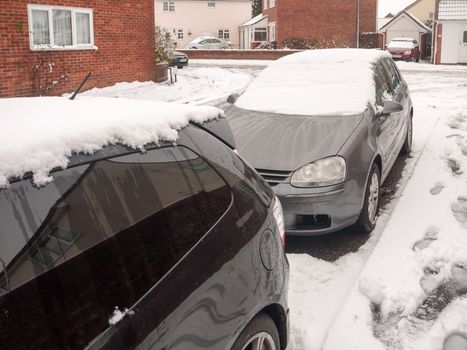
(319, 20)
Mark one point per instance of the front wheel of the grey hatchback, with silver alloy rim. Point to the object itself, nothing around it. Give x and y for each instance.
(367, 220)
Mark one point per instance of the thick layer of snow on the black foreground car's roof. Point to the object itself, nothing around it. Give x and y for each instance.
(38, 134)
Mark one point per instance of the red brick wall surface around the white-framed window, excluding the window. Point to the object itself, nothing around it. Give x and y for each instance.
(123, 35)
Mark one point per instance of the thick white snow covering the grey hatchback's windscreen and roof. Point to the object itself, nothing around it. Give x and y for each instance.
(315, 82)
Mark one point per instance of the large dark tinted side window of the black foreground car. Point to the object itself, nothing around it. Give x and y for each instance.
(97, 237)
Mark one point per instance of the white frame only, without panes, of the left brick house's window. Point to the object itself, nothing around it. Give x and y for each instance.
(52, 46)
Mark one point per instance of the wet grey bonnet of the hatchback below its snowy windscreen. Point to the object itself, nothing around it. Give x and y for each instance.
(287, 142)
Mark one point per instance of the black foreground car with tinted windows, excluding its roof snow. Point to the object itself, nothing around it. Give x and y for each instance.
(176, 247)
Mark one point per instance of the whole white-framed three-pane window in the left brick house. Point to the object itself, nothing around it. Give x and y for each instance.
(57, 27)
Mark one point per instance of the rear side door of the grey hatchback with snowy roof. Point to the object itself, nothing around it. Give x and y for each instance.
(400, 95)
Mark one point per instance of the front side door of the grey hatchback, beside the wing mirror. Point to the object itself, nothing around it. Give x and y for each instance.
(384, 123)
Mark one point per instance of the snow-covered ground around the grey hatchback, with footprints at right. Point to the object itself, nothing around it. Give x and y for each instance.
(405, 288)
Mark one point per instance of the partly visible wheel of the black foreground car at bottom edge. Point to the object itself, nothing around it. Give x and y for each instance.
(260, 329)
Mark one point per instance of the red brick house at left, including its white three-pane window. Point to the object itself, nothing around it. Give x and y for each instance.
(47, 47)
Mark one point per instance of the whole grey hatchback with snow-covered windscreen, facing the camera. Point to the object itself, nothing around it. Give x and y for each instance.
(324, 127)
